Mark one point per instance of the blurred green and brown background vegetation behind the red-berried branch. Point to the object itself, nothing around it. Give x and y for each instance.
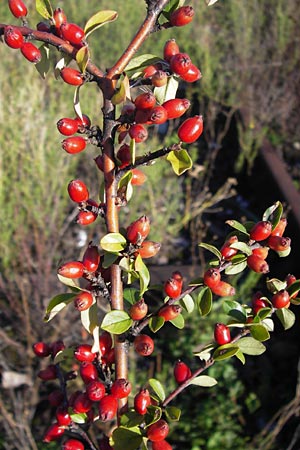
(249, 55)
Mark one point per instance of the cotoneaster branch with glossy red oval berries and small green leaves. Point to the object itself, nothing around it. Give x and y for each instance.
(137, 93)
